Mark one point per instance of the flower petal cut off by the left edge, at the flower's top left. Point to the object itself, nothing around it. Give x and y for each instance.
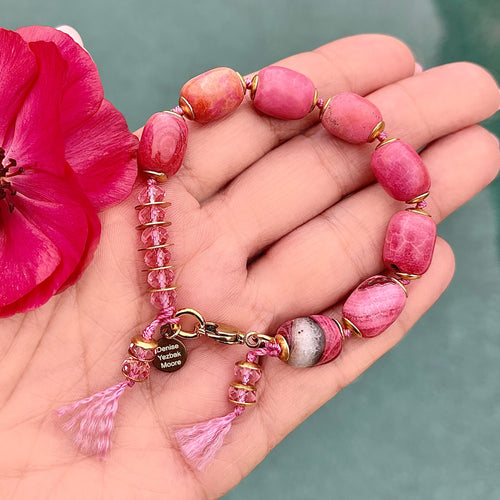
(18, 70)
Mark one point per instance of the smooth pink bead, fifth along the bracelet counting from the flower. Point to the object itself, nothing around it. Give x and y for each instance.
(400, 170)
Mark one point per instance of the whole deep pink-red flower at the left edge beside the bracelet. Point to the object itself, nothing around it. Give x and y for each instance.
(65, 154)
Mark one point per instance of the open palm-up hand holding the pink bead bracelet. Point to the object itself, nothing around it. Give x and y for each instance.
(263, 232)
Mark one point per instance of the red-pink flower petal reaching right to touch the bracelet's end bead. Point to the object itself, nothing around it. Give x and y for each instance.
(102, 153)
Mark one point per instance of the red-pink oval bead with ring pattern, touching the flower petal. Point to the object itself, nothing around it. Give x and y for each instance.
(163, 143)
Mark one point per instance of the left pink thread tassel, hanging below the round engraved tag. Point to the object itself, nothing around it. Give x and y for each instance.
(91, 420)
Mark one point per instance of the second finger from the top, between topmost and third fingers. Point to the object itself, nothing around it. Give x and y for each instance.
(312, 171)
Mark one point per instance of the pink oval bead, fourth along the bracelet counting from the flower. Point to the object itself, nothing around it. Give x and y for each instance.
(351, 117)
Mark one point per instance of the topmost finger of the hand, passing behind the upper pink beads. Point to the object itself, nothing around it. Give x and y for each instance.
(239, 140)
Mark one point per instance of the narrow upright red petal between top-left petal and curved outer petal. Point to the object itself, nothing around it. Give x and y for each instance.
(38, 140)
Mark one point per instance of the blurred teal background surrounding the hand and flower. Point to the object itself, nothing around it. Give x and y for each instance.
(423, 422)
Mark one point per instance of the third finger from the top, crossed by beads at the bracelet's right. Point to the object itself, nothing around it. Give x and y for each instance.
(324, 259)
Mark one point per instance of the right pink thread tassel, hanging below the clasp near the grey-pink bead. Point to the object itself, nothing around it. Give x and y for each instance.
(200, 443)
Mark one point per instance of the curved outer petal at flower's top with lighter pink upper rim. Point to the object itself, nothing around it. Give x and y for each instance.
(83, 91)
